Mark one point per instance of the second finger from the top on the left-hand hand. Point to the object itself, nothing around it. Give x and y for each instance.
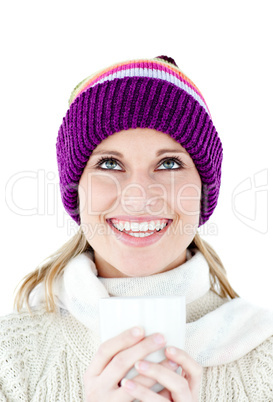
(125, 360)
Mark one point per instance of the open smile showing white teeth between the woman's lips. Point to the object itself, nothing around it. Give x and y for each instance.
(139, 229)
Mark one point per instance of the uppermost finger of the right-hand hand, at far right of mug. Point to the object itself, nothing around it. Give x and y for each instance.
(191, 369)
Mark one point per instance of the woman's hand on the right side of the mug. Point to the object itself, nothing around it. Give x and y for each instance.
(178, 388)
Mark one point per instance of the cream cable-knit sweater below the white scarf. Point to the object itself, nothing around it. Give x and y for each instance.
(43, 358)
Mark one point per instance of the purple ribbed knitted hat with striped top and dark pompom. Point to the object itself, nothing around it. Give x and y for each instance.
(138, 93)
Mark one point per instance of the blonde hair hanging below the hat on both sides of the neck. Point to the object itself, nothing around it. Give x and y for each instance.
(52, 267)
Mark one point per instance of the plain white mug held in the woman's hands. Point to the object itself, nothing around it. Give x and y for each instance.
(163, 314)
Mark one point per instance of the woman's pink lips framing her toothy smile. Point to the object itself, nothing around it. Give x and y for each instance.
(138, 241)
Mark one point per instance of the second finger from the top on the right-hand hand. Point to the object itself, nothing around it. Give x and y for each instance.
(177, 385)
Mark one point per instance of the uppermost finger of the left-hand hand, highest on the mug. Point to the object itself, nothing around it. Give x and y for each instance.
(110, 348)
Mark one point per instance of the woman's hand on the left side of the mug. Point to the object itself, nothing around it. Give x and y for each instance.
(114, 359)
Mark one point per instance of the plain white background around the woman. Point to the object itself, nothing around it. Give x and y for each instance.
(224, 47)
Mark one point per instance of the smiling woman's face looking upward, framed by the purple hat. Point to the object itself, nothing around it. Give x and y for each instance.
(139, 203)
